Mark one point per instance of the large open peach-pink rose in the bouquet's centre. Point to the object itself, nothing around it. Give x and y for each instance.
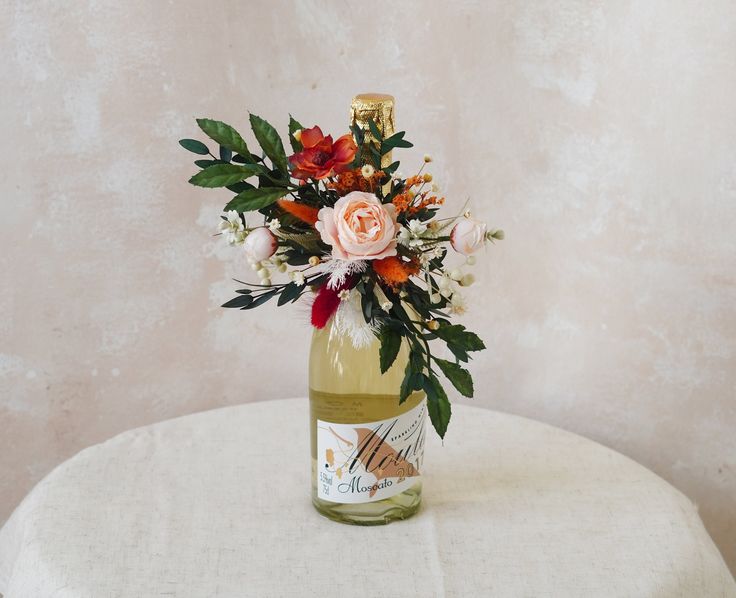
(359, 227)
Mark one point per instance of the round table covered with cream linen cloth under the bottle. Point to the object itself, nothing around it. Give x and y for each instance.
(217, 504)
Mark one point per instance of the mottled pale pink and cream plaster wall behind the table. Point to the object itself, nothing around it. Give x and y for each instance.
(600, 135)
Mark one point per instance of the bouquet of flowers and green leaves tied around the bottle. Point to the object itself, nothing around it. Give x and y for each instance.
(365, 242)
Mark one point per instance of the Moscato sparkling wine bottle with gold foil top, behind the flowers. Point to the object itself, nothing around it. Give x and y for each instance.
(367, 447)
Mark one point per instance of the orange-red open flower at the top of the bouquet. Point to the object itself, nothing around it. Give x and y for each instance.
(321, 157)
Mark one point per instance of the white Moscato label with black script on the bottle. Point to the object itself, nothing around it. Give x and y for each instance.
(365, 462)
